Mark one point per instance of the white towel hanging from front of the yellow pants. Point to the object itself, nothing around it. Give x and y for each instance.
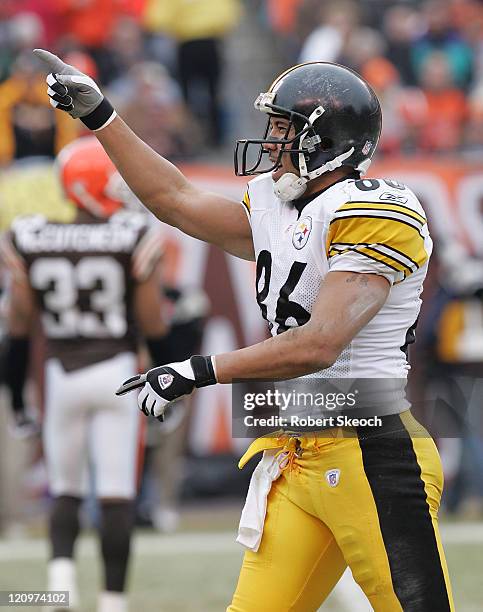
(250, 529)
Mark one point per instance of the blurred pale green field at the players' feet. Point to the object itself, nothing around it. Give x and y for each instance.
(196, 571)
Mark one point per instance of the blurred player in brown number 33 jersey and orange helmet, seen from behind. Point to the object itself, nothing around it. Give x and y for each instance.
(92, 281)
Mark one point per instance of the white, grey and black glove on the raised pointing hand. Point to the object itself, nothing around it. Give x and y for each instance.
(75, 93)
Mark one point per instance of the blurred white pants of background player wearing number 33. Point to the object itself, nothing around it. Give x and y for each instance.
(86, 424)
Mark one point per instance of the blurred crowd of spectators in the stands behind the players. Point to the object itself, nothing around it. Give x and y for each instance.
(161, 62)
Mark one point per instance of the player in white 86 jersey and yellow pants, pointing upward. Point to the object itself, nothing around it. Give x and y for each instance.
(340, 266)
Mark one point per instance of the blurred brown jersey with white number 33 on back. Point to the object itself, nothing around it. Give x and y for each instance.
(83, 276)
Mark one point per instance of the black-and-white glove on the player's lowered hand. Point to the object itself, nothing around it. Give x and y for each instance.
(168, 383)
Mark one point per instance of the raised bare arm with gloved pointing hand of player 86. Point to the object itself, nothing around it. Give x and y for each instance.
(159, 185)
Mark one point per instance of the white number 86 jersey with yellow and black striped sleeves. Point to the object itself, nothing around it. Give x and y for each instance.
(365, 225)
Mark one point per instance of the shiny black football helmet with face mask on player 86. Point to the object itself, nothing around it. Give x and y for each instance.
(335, 114)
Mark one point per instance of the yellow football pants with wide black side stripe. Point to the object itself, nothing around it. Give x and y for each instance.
(377, 515)
